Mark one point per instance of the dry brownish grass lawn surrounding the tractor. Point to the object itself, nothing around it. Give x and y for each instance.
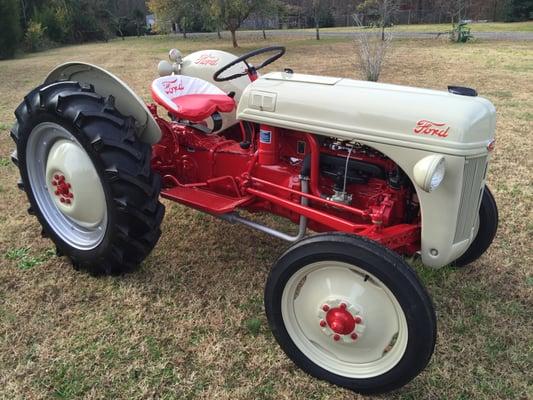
(190, 323)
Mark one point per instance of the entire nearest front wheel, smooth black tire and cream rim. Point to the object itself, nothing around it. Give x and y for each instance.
(351, 312)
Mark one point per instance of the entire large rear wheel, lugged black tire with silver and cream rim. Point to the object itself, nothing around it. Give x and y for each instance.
(87, 177)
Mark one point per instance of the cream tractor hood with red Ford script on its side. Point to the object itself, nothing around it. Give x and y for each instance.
(372, 112)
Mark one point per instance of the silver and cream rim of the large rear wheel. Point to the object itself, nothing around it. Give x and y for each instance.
(66, 186)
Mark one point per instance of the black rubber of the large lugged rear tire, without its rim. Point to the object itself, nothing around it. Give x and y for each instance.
(122, 161)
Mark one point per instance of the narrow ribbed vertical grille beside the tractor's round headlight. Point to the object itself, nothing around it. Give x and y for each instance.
(473, 175)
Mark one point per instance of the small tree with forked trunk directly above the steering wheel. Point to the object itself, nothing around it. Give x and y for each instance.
(232, 13)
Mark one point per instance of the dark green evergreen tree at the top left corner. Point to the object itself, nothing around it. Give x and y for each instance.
(10, 25)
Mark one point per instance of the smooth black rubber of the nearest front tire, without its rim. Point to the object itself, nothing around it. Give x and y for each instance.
(382, 263)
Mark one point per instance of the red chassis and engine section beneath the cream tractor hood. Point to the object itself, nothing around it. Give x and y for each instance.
(270, 169)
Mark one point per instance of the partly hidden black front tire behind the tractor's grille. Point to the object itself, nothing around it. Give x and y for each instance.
(488, 225)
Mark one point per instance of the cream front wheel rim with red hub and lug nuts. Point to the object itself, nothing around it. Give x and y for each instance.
(344, 319)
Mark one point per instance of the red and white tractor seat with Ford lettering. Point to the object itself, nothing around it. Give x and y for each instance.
(190, 98)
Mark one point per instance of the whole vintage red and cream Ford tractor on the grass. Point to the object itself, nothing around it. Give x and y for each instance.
(376, 171)
